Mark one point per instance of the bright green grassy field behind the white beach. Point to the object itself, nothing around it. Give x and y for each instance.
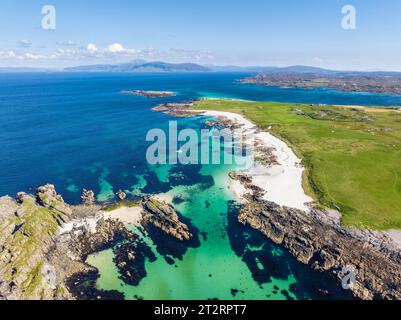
(352, 155)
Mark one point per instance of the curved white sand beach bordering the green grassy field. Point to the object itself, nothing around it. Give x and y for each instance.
(282, 182)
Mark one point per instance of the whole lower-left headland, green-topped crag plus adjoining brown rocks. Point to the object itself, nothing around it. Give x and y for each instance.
(44, 243)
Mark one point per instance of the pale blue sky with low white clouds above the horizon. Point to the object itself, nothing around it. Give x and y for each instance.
(240, 32)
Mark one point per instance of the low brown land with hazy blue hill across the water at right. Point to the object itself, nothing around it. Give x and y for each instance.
(312, 78)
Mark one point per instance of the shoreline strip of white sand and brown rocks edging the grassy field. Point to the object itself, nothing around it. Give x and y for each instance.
(315, 237)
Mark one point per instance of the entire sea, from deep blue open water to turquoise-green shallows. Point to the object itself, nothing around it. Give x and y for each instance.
(78, 131)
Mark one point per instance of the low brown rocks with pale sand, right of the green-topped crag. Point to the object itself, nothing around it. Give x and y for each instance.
(78, 239)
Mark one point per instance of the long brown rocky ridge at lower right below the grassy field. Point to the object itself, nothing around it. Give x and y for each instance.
(321, 242)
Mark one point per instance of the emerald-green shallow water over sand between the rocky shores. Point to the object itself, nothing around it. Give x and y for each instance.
(210, 271)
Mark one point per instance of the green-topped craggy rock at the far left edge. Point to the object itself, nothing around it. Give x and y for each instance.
(28, 226)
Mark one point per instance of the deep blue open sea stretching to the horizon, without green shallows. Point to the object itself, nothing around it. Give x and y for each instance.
(70, 128)
